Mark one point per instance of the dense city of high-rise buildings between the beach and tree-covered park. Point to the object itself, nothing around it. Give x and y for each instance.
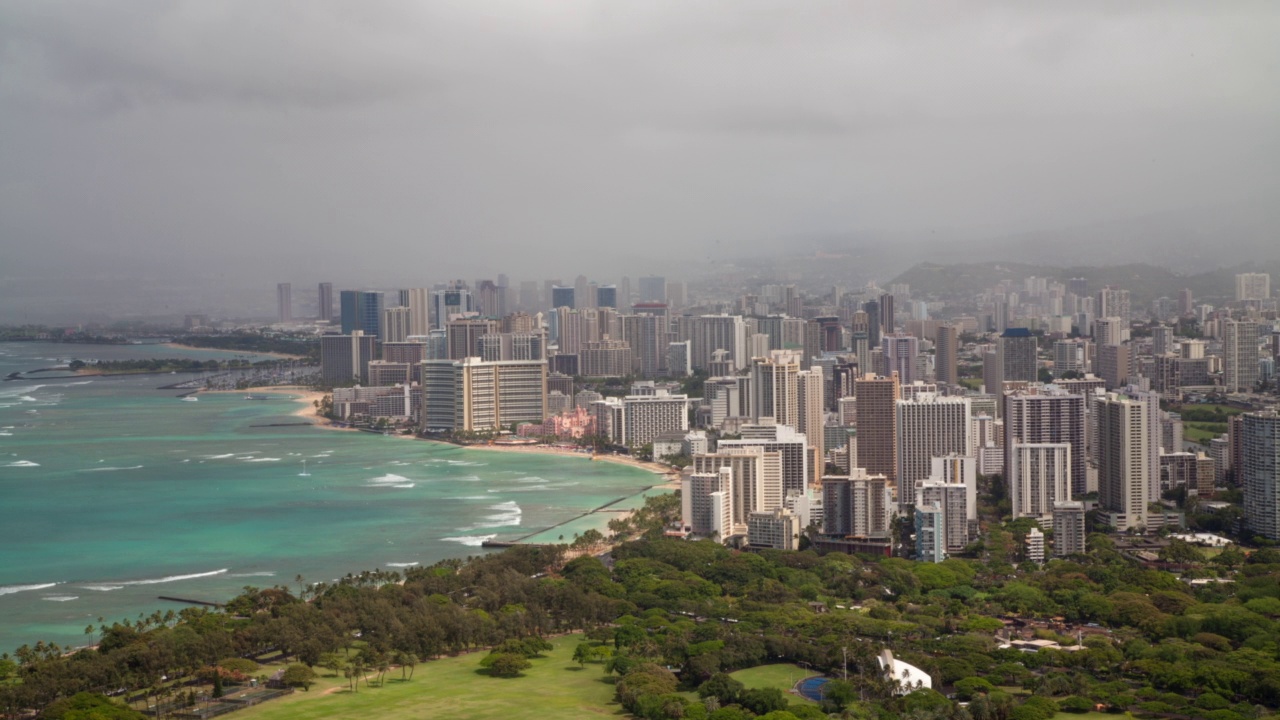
(870, 414)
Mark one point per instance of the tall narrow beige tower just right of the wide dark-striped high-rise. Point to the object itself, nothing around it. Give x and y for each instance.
(1124, 462)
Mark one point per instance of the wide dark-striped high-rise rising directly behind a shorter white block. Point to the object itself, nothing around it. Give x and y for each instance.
(1045, 416)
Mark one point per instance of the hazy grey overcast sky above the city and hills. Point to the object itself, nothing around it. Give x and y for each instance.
(467, 139)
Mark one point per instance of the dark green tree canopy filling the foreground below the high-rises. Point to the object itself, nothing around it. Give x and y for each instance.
(668, 621)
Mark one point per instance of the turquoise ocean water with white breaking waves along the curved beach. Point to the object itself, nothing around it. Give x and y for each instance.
(113, 493)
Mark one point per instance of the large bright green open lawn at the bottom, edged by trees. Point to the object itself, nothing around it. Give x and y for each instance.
(555, 687)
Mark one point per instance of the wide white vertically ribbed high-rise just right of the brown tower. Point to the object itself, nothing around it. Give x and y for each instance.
(930, 426)
